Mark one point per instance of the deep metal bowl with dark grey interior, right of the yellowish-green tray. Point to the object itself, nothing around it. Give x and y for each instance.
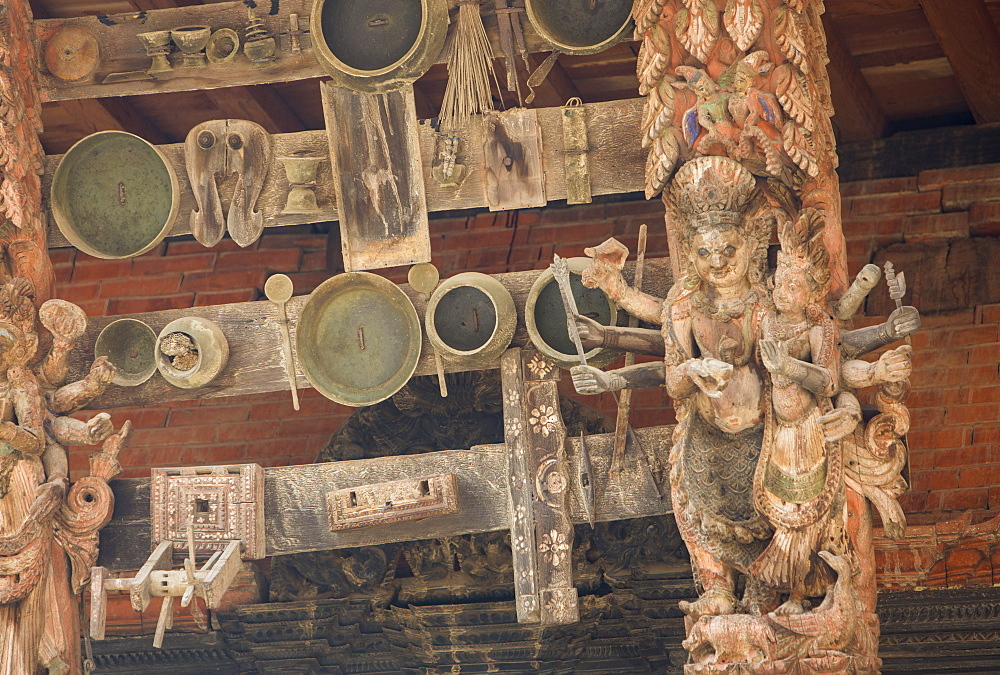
(471, 319)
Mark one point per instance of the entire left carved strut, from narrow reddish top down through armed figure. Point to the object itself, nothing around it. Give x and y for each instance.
(44, 521)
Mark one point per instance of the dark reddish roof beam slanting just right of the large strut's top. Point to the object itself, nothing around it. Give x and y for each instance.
(857, 115)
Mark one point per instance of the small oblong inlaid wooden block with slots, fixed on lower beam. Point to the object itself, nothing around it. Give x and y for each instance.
(392, 502)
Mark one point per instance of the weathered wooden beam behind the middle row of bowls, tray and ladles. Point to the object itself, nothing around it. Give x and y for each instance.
(253, 329)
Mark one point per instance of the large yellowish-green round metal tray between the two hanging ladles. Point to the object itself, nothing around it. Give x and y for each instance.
(358, 338)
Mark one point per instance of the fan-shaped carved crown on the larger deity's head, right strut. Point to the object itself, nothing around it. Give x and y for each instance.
(711, 193)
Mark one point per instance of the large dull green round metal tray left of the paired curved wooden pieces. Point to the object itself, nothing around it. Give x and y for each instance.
(114, 195)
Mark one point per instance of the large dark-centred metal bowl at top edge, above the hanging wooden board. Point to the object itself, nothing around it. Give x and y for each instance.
(375, 46)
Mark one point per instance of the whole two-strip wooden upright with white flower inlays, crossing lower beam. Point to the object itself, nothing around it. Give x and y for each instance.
(541, 529)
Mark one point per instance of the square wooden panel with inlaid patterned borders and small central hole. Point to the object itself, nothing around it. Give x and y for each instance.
(222, 503)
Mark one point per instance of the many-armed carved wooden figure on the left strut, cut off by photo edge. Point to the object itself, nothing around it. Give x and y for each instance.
(42, 519)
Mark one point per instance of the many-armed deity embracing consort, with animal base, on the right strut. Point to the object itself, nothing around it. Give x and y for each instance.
(766, 472)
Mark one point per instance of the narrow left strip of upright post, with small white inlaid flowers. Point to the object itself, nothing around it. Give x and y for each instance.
(522, 526)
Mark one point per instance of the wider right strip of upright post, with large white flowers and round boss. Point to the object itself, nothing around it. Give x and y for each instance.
(548, 468)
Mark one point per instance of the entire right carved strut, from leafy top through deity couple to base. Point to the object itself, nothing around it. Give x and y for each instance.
(772, 475)
